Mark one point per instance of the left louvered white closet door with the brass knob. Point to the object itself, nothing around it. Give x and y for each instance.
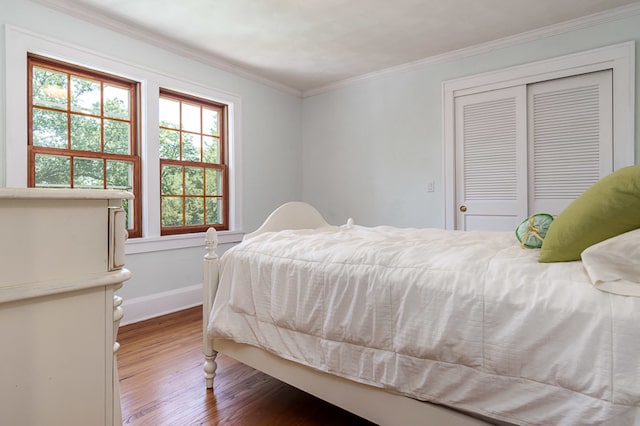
(491, 150)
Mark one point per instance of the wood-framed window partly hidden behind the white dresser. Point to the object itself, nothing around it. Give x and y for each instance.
(83, 131)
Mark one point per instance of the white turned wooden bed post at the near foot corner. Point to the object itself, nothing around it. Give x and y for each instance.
(209, 288)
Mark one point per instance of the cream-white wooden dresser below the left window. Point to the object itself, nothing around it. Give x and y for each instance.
(61, 261)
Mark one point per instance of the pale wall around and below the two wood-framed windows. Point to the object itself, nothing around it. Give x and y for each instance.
(270, 133)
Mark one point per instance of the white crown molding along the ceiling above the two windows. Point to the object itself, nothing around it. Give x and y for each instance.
(71, 8)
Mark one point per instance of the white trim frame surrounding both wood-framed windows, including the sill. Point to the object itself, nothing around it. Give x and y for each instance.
(19, 42)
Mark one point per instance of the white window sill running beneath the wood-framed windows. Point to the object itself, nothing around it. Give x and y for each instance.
(171, 242)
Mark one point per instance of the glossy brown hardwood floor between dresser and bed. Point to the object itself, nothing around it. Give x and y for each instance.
(161, 383)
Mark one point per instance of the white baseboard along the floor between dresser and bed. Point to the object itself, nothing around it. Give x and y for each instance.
(154, 305)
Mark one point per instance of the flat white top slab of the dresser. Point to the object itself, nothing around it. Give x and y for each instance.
(63, 194)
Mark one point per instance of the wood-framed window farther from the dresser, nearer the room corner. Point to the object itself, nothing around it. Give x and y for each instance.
(193, 187)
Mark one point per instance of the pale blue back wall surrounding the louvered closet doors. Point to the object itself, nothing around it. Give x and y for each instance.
(370, 148)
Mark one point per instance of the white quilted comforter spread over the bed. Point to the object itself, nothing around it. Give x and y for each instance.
(465, 319)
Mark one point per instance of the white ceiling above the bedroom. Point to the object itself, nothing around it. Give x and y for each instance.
(305, 45)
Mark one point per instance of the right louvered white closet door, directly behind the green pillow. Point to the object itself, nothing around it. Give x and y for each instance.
(570, 138)
